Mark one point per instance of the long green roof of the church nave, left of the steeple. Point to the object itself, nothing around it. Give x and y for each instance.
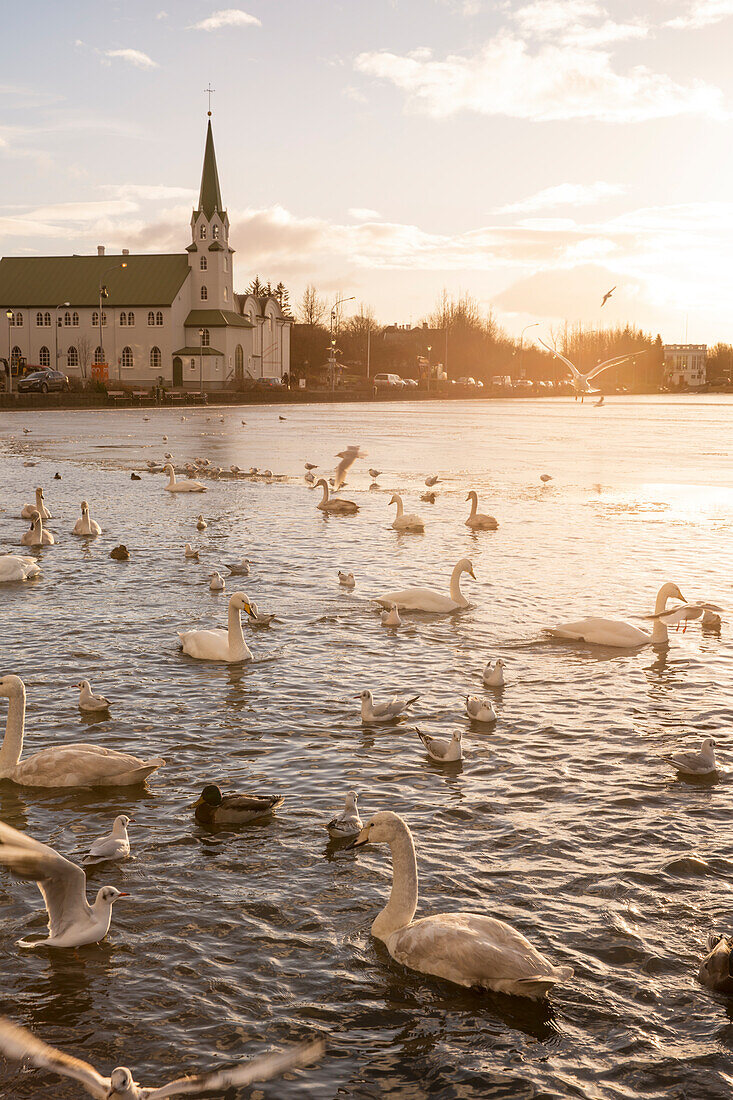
(32, 282)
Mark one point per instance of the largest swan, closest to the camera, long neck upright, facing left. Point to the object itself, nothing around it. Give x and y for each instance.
(467, 949)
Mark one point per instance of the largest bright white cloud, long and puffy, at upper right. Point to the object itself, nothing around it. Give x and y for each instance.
(556, 82)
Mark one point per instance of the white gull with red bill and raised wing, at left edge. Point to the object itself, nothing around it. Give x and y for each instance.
(73, 922)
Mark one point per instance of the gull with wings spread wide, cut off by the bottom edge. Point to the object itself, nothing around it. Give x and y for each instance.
(24, 1047)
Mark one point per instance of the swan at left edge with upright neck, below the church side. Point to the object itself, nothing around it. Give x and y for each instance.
(65, 765)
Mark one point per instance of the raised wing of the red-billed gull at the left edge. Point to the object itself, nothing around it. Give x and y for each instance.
(62, 884)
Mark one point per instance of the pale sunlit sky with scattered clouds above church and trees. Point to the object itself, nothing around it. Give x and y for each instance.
(532, 153)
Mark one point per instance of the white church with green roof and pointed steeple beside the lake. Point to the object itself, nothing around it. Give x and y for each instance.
(134, 320)
